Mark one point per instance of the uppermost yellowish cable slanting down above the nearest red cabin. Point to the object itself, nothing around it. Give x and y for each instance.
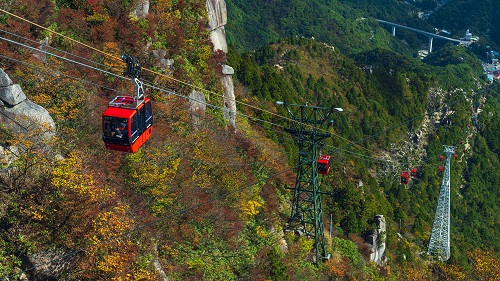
(173, 79)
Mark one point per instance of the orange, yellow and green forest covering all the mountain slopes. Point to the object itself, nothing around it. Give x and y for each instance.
(202, 200)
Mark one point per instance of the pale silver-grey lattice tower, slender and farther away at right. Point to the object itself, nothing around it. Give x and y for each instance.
(439, 244)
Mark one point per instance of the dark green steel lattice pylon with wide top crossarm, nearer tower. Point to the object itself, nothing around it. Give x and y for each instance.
(307, 214)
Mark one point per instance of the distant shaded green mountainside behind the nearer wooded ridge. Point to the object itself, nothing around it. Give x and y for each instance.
(350, 24)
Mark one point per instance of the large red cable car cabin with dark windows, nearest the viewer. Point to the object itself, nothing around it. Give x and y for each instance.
(127, 124)
